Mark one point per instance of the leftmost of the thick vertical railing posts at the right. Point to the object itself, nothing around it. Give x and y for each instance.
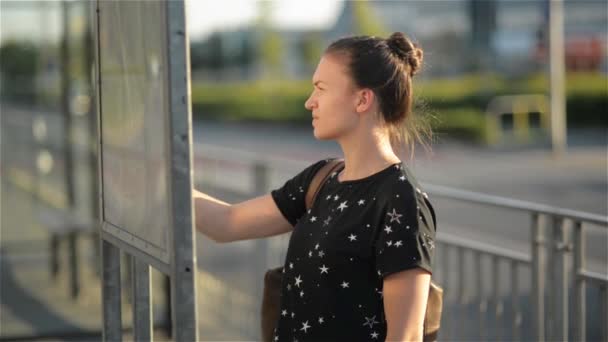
(538, 275)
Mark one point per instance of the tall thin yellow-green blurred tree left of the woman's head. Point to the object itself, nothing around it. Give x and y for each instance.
(270, 43)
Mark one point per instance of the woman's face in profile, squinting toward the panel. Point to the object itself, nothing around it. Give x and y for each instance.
(333, 99)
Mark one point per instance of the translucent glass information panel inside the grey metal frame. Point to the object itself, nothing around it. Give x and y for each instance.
(134, 124)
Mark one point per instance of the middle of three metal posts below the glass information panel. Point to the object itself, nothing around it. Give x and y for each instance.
(142, 299)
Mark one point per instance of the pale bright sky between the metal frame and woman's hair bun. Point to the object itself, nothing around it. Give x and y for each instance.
(206, 16)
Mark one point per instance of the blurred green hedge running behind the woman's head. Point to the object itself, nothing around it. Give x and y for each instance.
(457, 104)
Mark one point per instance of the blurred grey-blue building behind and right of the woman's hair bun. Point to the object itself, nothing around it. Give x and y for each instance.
(502, 35)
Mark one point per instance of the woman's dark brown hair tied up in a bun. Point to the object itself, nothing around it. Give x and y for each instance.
(387, 66)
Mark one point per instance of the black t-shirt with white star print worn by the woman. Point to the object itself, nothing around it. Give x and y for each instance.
(356, 233)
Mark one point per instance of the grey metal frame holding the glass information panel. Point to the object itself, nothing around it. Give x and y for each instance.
(180, 262)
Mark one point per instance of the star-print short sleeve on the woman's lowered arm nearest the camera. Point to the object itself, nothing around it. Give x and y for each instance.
(405, 238)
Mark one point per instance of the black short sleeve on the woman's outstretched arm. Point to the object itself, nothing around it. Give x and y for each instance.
(291, 197)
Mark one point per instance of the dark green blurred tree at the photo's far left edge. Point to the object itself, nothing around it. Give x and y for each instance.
(18, 69)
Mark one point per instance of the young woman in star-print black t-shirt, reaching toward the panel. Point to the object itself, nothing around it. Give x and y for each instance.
(358, 264)
